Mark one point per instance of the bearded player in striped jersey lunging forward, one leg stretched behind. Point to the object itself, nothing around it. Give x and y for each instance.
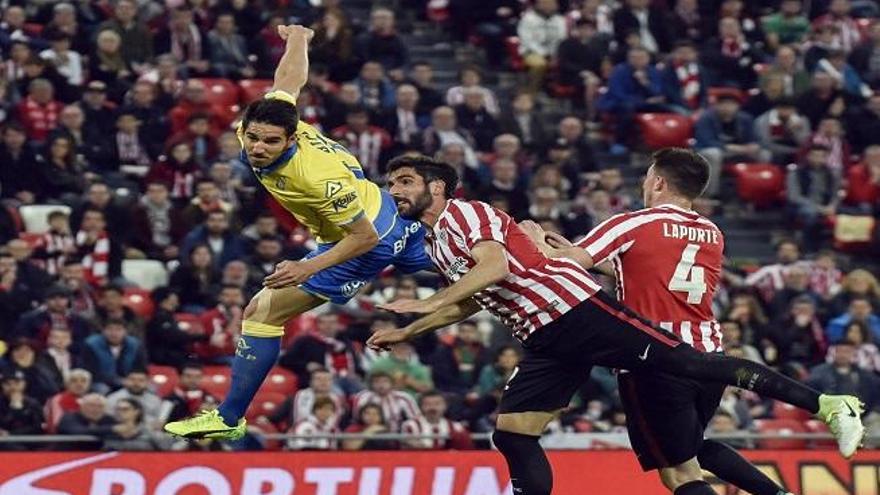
(563, 319)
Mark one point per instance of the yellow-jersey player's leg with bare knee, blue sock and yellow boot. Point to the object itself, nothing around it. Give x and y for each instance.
(256, 353)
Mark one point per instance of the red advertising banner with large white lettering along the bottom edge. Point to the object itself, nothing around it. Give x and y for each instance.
(390, 473)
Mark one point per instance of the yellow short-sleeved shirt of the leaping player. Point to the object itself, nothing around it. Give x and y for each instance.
(319, 182)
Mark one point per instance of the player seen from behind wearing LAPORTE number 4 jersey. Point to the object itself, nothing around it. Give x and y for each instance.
(667, 262)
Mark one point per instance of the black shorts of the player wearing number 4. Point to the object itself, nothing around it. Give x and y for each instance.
(666, 415)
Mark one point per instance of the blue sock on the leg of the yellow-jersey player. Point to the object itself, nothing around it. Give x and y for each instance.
(254, 357)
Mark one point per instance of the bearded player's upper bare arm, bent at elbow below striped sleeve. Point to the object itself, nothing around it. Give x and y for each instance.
(490, 268)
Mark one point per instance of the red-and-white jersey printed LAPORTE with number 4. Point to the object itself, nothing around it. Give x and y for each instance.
(668, 263)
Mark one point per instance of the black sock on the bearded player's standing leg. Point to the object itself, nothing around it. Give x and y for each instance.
(530, 472)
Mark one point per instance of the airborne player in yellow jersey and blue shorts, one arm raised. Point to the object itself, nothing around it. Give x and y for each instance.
(323, 186)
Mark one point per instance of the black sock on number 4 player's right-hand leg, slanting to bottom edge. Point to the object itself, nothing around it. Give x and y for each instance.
(726, 463)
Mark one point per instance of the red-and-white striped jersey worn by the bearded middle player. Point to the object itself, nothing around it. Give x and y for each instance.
(537, 291)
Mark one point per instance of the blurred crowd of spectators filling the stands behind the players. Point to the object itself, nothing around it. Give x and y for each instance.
(108, 111)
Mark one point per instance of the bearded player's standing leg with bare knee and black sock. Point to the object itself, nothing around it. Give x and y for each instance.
(516, 436)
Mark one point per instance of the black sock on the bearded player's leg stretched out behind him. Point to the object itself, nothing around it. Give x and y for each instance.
(741, 373)
